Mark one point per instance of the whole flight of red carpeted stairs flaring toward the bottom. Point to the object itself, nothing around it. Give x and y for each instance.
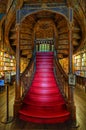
(44, 103)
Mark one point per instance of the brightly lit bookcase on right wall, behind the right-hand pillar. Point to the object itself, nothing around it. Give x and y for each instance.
(79, 64)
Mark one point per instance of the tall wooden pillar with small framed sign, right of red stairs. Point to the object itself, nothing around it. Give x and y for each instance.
(71, 104)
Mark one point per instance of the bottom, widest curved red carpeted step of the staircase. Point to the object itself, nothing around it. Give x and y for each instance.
(44, 118)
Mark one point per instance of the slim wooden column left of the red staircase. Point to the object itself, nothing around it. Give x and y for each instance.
(17, 103)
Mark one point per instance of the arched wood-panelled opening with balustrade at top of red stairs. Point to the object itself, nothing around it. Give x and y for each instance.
(44, 35)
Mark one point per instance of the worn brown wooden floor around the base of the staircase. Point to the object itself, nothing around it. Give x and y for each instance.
(80, 102)
